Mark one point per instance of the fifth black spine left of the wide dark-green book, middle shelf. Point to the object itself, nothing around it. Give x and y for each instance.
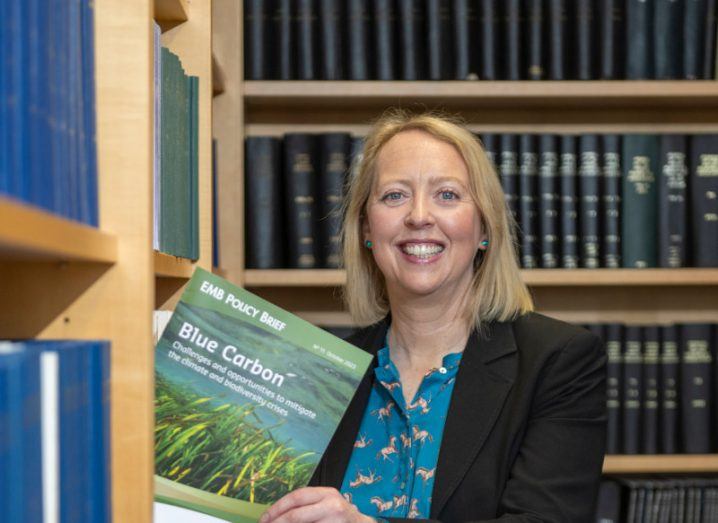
(528, 173)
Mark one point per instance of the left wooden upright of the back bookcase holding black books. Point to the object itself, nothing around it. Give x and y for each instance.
(227, 124)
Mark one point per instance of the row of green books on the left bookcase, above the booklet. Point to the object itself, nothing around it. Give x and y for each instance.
(175, 169)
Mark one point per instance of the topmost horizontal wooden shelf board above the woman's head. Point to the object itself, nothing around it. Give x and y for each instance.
(596, 94)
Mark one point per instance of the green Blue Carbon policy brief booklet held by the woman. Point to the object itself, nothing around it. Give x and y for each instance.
(247, 397)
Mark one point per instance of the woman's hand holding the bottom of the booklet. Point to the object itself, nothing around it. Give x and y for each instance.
(314, 504)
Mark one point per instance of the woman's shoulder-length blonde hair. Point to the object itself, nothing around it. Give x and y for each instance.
(497, 292)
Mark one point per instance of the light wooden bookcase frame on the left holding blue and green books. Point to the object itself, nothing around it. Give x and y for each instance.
(62, 280)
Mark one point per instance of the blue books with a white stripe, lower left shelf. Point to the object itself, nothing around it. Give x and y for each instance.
(55, 432)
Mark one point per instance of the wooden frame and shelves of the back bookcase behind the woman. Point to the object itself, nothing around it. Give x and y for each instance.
(249, 108)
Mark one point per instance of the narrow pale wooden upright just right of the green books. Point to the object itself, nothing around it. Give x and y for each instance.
(191, 43)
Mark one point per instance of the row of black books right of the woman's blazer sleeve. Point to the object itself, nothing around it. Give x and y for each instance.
(662, 388)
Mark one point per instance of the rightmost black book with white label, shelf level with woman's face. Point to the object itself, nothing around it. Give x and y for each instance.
(703, 182)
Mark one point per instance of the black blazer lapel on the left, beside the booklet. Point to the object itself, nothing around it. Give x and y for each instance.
(338, 453)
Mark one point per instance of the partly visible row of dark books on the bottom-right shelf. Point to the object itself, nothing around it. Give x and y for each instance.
(659, 500)
